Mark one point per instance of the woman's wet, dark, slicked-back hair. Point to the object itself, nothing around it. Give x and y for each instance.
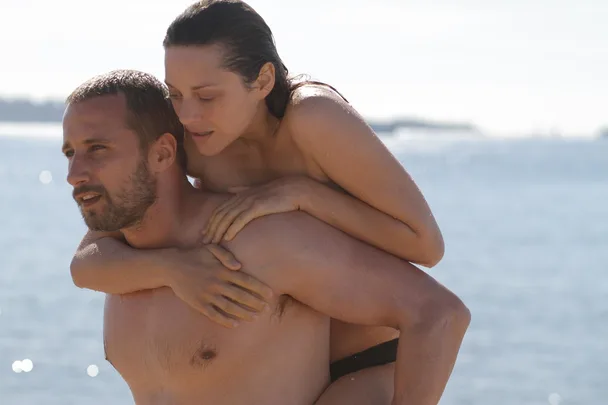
(247, 41)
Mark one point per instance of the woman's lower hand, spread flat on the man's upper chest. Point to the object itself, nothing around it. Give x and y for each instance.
(215, 287)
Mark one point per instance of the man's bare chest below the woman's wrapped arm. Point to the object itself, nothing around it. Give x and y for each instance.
(170, 354)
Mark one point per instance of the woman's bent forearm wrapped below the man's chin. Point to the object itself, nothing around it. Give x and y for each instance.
(109, 265)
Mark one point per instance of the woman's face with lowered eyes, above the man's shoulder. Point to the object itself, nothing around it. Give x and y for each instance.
(214, 105)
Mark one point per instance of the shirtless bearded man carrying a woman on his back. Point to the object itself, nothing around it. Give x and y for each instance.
(129, 182)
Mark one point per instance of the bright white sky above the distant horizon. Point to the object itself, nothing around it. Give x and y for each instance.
(506, 65)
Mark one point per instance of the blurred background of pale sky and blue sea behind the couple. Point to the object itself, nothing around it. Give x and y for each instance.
(497, 108)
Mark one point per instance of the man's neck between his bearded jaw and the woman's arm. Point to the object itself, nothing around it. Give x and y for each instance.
(161, 224)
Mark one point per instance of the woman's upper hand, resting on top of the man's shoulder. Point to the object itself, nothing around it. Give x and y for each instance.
(281, 195)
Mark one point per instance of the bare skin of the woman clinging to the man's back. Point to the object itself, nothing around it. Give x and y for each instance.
(321, 158)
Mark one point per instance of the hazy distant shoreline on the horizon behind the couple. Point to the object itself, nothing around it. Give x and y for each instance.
(30, 112)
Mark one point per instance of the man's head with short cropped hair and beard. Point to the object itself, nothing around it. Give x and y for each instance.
(120, 133)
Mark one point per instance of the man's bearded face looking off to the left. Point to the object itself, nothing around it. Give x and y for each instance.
(112, 184)
